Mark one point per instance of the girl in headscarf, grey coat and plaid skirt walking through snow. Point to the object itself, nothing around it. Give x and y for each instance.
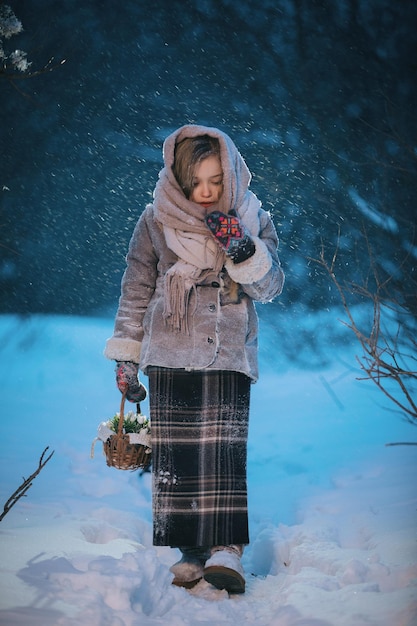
(199, 257)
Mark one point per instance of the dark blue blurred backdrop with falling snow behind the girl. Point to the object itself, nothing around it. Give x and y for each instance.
(320, 98)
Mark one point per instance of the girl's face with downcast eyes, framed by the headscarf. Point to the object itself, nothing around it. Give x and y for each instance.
(207, 183)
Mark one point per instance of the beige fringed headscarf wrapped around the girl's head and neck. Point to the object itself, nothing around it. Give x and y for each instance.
(183, 221)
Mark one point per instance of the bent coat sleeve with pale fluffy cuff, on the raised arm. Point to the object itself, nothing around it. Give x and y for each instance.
(261, 276)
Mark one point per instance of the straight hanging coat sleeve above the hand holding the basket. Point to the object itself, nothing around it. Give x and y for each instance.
(137, 288)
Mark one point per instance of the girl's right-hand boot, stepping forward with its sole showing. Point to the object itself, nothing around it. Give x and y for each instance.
(224, 569)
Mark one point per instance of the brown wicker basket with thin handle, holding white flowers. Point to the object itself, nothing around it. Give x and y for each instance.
(122, 454)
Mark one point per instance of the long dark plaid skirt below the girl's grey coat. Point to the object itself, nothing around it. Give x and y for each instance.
(199, 449)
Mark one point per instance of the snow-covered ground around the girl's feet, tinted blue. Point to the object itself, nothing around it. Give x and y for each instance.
(332, 509)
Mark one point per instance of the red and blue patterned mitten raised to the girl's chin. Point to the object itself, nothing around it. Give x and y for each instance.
(231, 235)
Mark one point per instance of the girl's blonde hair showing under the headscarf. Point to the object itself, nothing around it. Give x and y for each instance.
(188, 153)
